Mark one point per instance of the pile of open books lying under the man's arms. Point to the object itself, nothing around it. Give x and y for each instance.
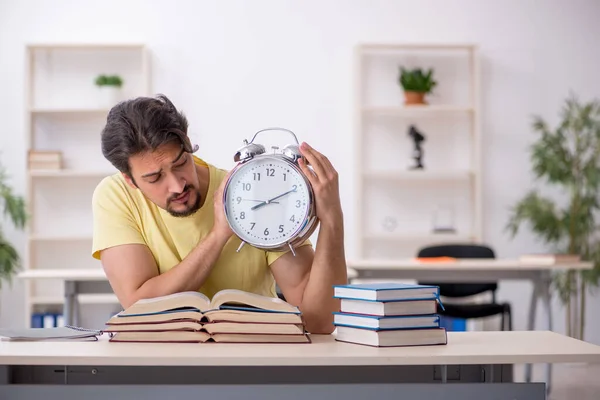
(232, 316)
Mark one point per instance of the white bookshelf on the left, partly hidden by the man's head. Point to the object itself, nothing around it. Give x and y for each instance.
(65, 112)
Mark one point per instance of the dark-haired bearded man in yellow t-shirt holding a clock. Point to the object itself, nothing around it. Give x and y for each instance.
(160, 228)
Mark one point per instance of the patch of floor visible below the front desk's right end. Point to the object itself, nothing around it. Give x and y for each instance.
(569, 381)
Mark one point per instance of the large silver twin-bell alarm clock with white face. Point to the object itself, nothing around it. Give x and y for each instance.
(268, 200)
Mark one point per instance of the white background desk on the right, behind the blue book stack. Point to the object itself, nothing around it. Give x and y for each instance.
(471, 271)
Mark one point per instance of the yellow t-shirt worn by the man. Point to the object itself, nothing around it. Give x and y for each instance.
(123, 215)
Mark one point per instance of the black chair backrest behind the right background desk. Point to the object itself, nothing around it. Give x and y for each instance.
(460, 251)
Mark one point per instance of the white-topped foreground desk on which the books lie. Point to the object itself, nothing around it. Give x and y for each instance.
(472, 365)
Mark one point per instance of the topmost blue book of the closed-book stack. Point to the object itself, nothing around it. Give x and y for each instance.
(386, 291)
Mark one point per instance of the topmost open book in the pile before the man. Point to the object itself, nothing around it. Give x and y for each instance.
(228, 299)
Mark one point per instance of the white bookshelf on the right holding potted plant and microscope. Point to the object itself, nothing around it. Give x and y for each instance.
(396, 206)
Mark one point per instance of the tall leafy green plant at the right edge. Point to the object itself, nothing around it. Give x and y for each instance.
(567, 156)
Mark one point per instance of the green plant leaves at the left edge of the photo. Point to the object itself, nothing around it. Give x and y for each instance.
(15, 211)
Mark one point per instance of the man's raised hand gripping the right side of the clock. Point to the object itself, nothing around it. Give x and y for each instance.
(324, 180)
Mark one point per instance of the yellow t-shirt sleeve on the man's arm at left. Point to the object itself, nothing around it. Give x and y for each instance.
(113, 220)
